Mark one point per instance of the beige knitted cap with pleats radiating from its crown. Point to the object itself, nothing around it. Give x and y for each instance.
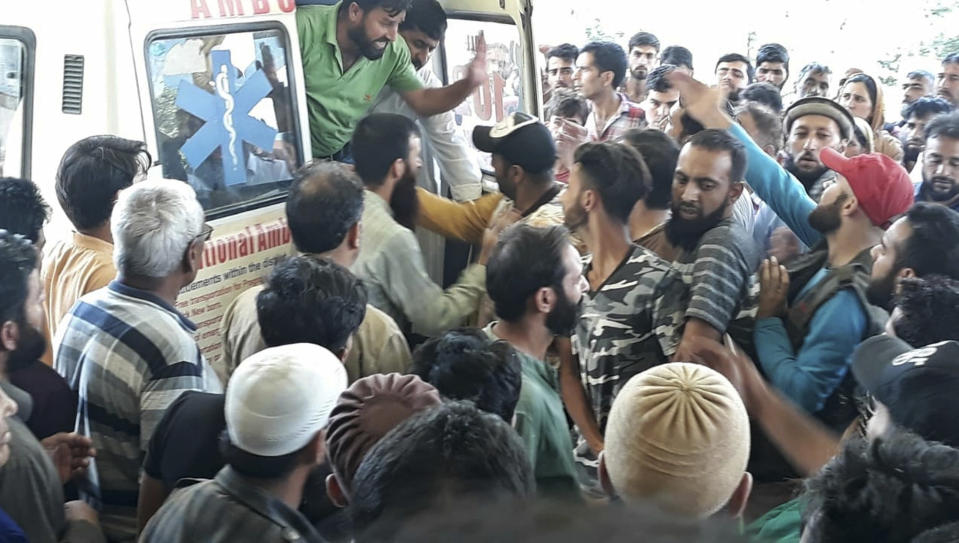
(677, 437)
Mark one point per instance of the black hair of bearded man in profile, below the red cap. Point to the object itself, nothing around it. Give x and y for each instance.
(933, 247)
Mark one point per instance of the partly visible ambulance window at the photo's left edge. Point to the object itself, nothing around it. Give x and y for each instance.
(15, 78)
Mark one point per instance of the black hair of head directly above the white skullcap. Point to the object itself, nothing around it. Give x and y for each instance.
(310, 300)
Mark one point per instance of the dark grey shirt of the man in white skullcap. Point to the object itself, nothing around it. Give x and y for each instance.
(227, 509)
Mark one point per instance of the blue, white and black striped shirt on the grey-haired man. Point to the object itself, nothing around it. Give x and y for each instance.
(129, 355)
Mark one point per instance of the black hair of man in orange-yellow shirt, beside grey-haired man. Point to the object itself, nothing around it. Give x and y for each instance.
(91, 173)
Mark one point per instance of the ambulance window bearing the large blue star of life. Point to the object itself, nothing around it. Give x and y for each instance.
(225, 115)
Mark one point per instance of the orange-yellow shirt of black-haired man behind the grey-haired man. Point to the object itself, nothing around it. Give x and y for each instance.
(70, 270)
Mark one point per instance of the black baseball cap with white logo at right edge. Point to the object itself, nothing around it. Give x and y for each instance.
(919, 387)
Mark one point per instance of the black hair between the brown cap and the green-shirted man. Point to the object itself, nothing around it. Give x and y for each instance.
(464, 364)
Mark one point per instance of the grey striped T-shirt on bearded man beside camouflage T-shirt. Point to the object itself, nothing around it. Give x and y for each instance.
(719, 274)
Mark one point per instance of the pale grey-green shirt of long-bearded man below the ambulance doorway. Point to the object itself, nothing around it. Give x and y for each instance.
(391, 266)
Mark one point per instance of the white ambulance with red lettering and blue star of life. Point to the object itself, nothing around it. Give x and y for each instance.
(215, 89)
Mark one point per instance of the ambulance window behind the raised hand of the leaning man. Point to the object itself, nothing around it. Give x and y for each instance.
(503, 94)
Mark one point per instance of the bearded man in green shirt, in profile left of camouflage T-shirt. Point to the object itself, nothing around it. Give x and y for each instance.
(535, 280)
